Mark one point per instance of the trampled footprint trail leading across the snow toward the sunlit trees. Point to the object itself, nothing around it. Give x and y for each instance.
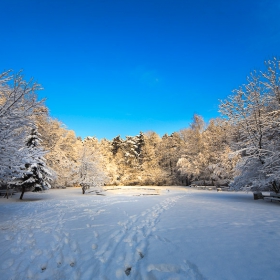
(127, 246)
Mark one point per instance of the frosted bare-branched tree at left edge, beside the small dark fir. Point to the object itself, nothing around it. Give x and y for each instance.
(18, 106)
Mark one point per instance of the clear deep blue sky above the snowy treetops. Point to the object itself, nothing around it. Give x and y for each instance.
(120, 67)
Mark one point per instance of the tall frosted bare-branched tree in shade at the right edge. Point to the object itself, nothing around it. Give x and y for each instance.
(254, 114)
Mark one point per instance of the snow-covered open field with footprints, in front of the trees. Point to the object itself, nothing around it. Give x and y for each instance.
(168, 233)
